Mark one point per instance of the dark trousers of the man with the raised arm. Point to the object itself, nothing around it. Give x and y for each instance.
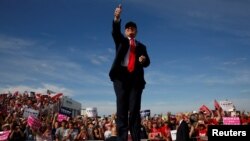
(128, 102)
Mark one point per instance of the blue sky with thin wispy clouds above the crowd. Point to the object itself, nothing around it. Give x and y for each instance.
(199, 50)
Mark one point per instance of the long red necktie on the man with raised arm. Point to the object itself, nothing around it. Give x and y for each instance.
(131, 61)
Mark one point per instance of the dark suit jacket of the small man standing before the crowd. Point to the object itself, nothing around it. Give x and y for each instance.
(183, 132)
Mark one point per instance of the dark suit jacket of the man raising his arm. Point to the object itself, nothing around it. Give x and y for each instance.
(121, 47)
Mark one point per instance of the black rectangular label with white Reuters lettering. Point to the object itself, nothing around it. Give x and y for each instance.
(229, 132)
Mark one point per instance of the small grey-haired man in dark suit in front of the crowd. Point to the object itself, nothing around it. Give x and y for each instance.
(182, 128)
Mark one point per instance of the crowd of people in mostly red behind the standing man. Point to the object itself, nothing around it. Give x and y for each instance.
(15, 126)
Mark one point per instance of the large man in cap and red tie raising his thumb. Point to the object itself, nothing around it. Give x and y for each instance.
(128, 78)
